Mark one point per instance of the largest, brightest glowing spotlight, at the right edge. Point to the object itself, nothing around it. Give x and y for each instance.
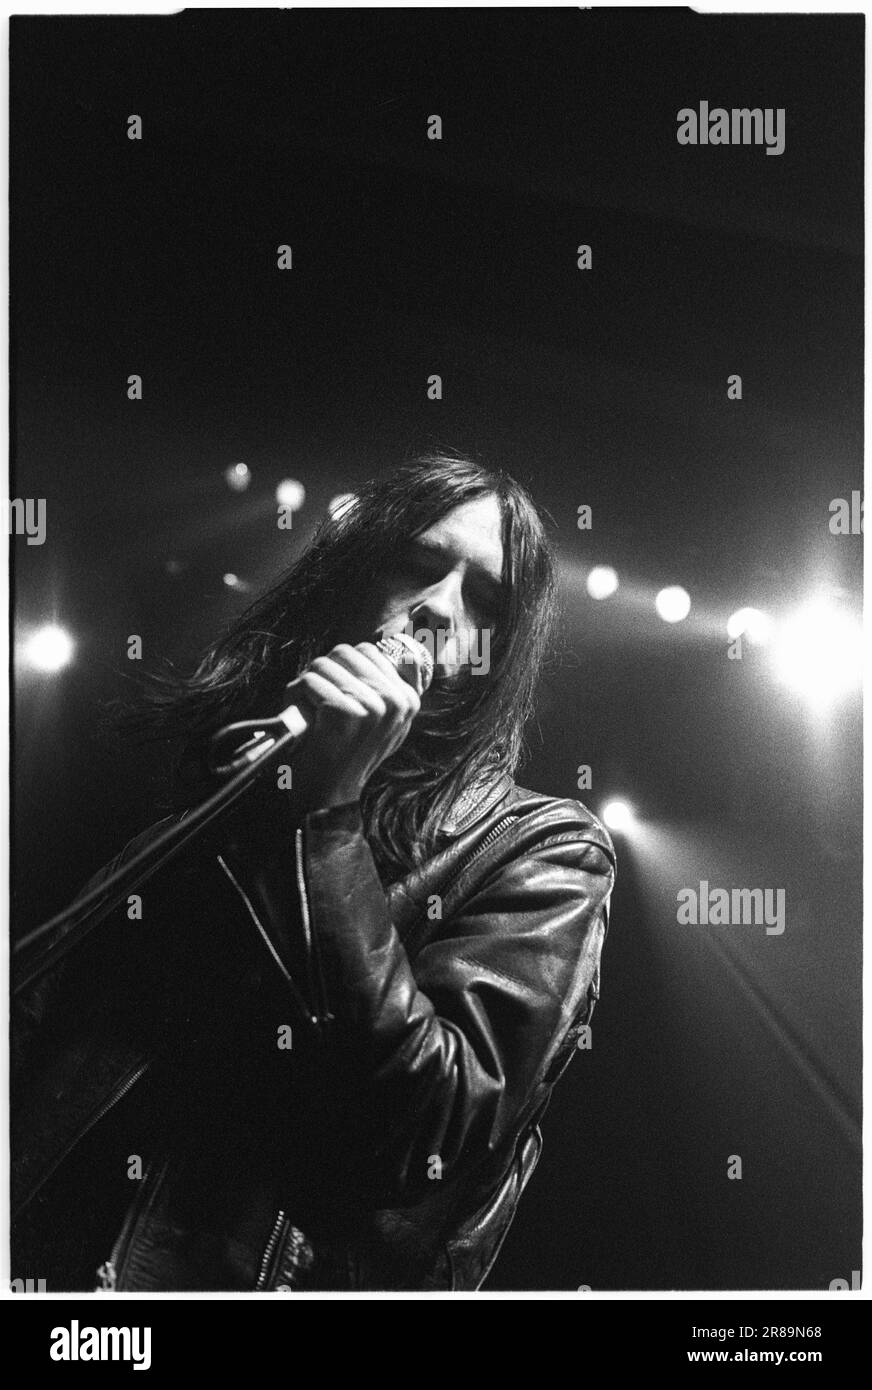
(818, 653)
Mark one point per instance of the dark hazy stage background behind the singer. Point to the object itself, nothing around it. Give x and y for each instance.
(604, 389)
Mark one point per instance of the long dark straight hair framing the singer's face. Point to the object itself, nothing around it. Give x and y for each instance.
(475, 728)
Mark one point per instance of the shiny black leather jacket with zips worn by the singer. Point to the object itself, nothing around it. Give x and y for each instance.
(325, 1085)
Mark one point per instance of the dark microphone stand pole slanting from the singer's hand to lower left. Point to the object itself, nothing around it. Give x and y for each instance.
(84, 915)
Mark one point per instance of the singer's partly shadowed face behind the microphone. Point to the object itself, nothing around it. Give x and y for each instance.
(446, 584)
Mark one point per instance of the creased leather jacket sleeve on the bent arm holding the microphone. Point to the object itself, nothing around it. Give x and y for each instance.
(450, 1053)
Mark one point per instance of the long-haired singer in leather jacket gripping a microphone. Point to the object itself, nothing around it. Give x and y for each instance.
(316, 1052)
